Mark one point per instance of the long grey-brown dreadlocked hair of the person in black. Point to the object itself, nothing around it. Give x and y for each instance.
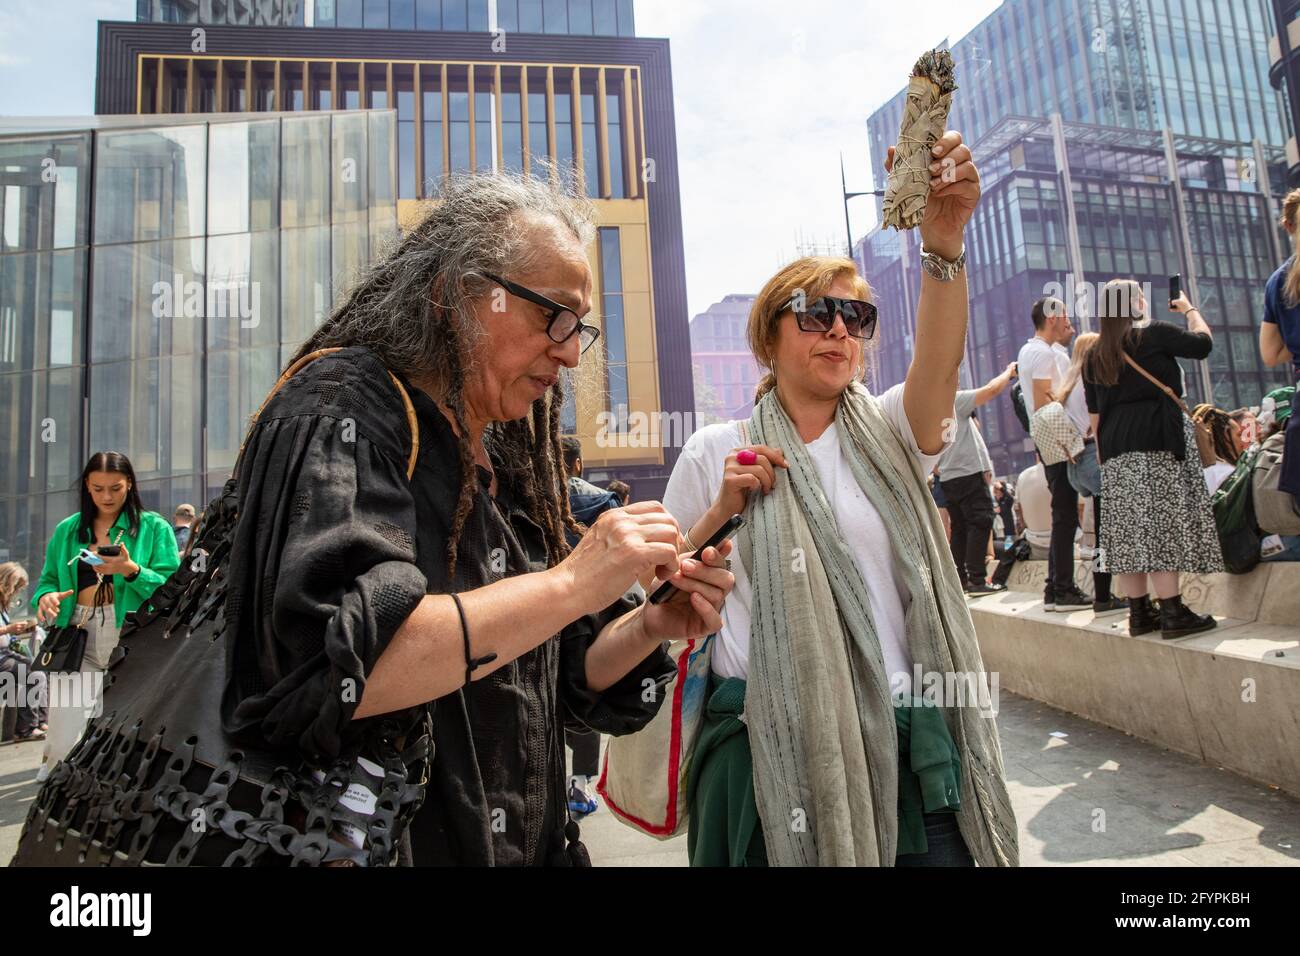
(414, 309)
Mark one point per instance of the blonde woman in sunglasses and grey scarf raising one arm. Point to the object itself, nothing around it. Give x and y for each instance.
(817, 747)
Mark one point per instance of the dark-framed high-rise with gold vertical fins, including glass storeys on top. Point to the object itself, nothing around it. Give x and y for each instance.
(564, 83)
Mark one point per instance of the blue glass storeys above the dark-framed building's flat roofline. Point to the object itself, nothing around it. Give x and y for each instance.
(574, 18)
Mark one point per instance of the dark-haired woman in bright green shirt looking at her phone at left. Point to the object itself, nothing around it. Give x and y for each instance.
(98, 595)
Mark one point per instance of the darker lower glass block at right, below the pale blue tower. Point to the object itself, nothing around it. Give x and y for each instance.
(1126, 217)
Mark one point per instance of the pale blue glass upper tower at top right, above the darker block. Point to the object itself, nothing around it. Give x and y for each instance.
(1198, 67)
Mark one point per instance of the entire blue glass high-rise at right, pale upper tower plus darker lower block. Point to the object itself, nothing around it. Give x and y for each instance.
(1128, 139)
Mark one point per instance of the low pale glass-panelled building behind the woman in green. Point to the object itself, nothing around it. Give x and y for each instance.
(155, 274)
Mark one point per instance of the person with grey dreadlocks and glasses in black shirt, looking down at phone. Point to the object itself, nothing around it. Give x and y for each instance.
(452, 594)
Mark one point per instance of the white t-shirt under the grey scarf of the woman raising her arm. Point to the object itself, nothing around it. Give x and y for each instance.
(695, 485)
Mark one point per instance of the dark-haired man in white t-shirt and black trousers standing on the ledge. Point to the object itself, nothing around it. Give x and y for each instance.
(1043, 365)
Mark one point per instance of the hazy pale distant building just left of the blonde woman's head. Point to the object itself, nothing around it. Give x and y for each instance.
(726, 371)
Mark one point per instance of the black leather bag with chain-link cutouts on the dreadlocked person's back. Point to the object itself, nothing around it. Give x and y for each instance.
(157, 781)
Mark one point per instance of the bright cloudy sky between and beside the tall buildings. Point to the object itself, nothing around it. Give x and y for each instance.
(769, 93)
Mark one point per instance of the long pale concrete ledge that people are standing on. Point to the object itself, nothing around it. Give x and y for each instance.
(1230, 698)
